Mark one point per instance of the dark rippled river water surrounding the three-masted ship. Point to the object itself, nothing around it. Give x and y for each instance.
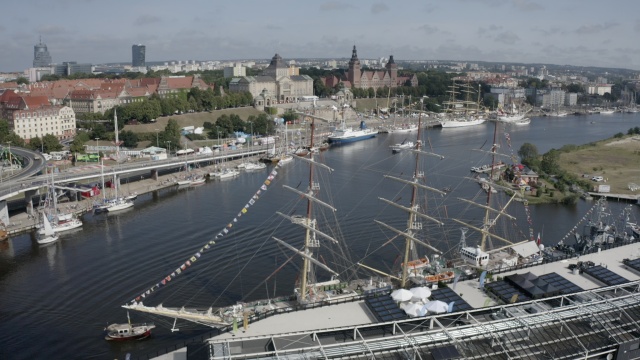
(55, 300)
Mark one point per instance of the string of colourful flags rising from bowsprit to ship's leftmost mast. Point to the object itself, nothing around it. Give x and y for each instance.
(264, 187)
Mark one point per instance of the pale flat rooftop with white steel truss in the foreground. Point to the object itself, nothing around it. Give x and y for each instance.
(592, 323)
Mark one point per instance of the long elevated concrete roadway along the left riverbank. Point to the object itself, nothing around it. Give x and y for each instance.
(29, 186)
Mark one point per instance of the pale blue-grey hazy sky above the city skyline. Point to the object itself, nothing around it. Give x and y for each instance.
(562, 32)
